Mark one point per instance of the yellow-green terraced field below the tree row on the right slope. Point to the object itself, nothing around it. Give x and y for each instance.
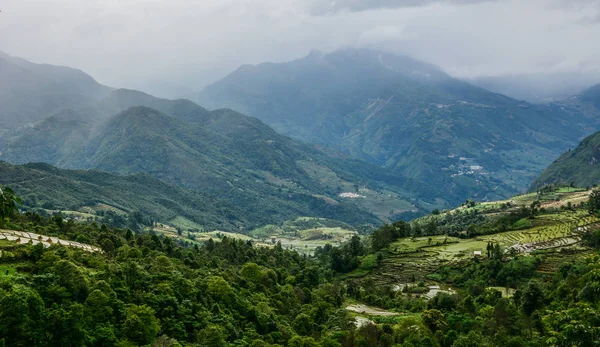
(412, 259)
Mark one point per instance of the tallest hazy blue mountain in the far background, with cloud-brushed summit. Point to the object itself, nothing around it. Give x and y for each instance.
(407, 116)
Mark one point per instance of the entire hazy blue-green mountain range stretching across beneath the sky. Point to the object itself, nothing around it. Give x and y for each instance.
(361, 136)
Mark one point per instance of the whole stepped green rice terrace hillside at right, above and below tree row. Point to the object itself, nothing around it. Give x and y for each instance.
(554, 231)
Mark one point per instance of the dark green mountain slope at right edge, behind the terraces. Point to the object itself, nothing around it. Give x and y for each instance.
(579, 167)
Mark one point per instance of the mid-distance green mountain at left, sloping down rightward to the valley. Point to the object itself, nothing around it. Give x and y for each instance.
(270, 177)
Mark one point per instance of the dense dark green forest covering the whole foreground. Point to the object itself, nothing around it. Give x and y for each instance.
(144, 289)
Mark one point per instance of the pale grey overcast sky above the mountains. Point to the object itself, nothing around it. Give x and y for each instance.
(191, 43)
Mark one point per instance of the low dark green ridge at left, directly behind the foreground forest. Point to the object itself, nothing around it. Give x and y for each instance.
(42, 185)
